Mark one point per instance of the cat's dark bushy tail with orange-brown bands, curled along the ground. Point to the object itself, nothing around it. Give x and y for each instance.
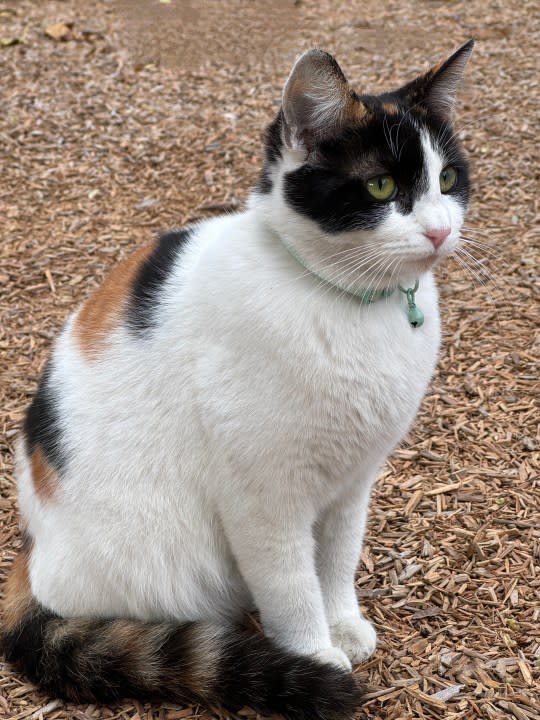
(103, 660)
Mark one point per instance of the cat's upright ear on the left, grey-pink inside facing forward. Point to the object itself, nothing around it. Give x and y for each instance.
(317, 101)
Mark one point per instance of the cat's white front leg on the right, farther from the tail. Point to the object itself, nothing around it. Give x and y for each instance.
(339, 535)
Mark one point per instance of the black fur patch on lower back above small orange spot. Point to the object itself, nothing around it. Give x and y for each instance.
(42, 423)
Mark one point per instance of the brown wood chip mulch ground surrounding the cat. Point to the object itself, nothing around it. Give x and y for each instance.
(119, 119)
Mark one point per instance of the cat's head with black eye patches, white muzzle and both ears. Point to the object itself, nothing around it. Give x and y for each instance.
(366, 188)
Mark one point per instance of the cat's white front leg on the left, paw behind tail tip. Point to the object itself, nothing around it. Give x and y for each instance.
(275, 553)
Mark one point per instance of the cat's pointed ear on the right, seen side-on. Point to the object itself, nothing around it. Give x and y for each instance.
(436, 90)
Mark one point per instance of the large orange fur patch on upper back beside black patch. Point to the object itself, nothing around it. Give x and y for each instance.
(103, 309)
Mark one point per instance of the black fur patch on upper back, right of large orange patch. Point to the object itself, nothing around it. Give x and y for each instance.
(151, 278)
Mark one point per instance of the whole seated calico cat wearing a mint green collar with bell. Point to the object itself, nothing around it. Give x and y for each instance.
(211, 420)
